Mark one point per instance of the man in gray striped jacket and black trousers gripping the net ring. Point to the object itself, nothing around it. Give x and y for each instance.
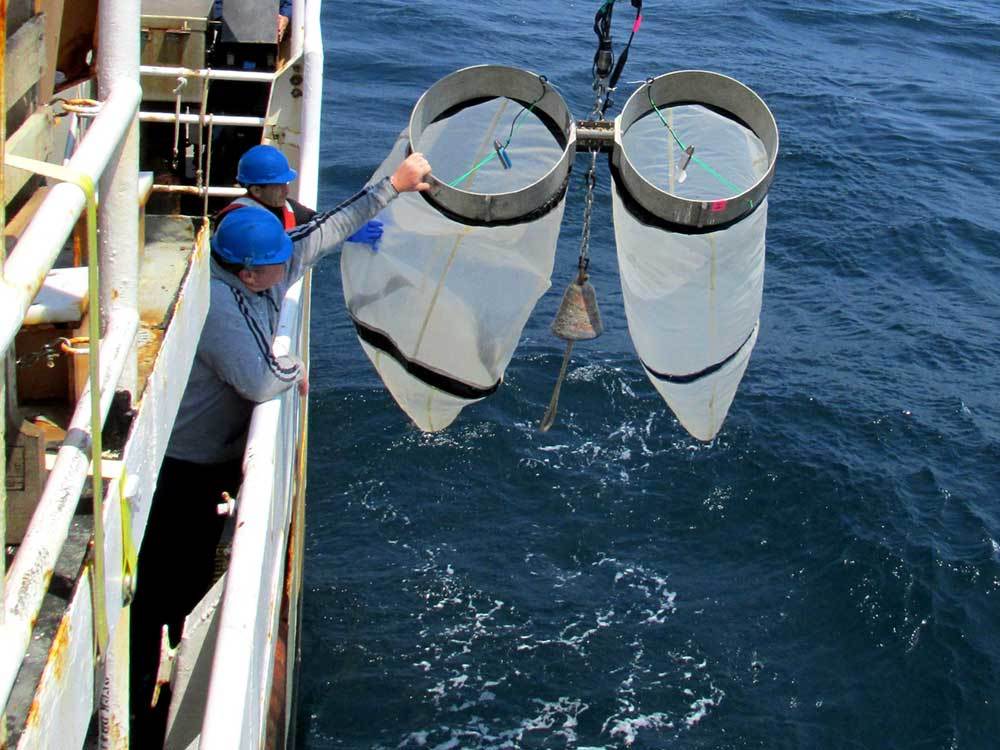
(254, 260)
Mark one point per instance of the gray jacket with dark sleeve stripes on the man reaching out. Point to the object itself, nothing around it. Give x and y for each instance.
(234, 369)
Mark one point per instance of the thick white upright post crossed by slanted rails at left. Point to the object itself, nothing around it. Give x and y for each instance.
(118, 63)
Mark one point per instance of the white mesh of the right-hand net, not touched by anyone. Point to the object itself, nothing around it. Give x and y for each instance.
(693, 300)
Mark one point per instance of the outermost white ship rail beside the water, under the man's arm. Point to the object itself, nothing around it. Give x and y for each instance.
(243, 665)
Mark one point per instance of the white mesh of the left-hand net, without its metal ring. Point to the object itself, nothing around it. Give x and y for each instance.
(441, 305)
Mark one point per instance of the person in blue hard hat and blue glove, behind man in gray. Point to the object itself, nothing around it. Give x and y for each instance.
(265, 173)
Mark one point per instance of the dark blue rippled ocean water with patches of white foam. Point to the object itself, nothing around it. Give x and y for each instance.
(826, 572)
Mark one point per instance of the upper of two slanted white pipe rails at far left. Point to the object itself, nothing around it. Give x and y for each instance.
(25, 268)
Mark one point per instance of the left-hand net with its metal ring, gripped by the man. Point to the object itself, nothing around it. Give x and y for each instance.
(440, 307)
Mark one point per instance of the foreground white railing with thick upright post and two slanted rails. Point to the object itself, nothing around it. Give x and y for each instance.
(106, 157)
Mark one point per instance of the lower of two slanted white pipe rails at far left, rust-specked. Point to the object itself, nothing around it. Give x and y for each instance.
(36, 557)
